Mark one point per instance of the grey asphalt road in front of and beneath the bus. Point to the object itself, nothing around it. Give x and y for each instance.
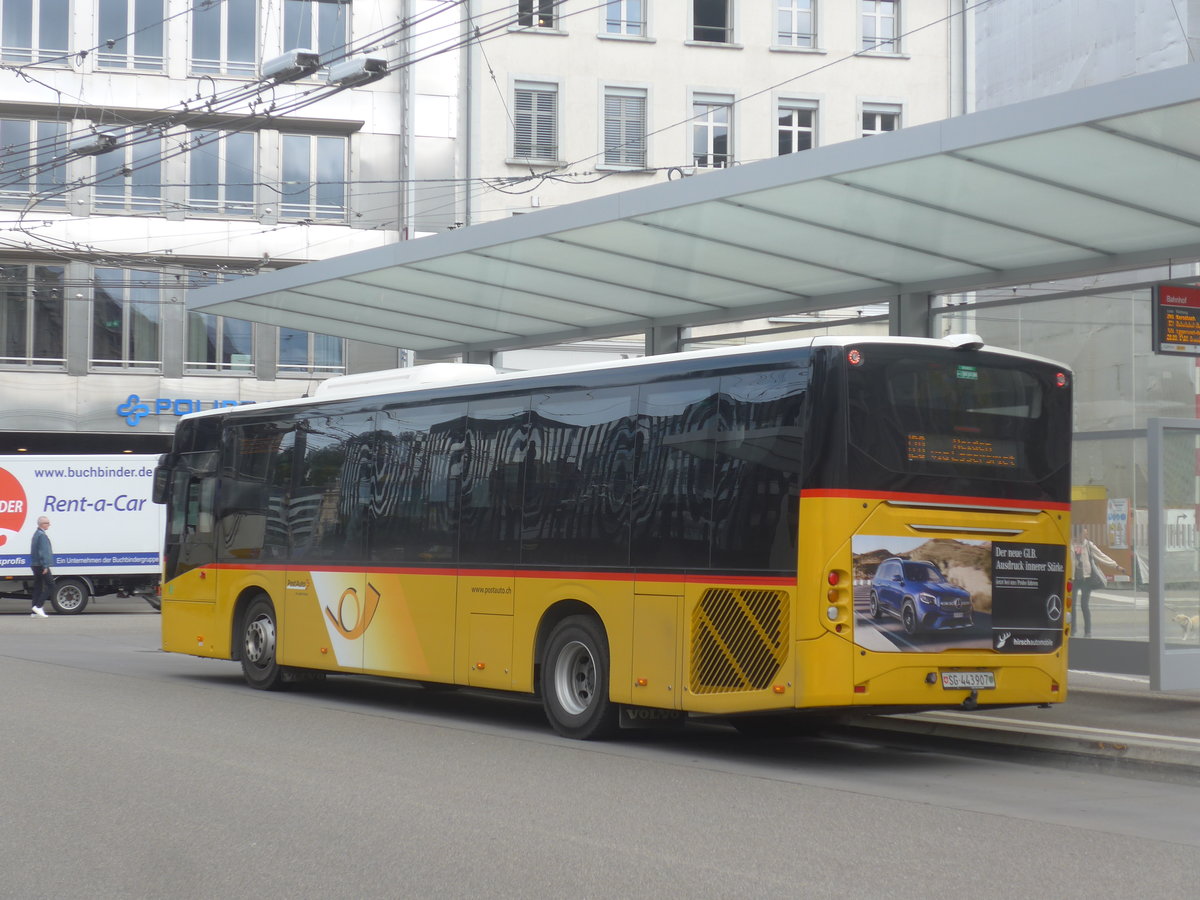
(131, 773)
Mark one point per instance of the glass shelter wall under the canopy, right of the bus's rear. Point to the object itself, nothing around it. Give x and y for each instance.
(1105, 337)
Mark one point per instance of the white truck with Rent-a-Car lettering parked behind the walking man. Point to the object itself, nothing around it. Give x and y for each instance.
(106, 532)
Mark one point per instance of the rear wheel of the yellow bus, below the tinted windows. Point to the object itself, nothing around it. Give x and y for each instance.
(575, 681)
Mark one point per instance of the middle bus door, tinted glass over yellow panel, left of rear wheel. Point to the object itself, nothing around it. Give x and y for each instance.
(494, 460)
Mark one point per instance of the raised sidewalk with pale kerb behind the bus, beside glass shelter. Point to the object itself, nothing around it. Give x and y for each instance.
(1111, 721)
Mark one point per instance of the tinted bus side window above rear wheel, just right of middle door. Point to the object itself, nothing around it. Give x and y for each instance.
(579, 478)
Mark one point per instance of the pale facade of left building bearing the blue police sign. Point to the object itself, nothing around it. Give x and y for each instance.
(177, 243)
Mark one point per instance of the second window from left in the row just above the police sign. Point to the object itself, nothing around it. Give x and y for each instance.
(125, 320)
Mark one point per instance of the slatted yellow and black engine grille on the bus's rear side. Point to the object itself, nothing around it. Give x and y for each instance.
(739, 640)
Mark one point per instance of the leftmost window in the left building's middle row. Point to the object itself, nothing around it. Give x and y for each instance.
(34, 171)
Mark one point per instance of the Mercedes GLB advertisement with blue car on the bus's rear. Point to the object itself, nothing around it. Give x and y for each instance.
(922, 595)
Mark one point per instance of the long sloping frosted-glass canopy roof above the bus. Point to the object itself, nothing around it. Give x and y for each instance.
(1094, 181)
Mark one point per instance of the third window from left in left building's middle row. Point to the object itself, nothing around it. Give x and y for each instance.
(221, 173)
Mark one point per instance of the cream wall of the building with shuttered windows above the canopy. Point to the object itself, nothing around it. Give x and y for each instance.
(581, 61)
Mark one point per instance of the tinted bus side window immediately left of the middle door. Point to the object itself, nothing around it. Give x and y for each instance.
(418, 472)
